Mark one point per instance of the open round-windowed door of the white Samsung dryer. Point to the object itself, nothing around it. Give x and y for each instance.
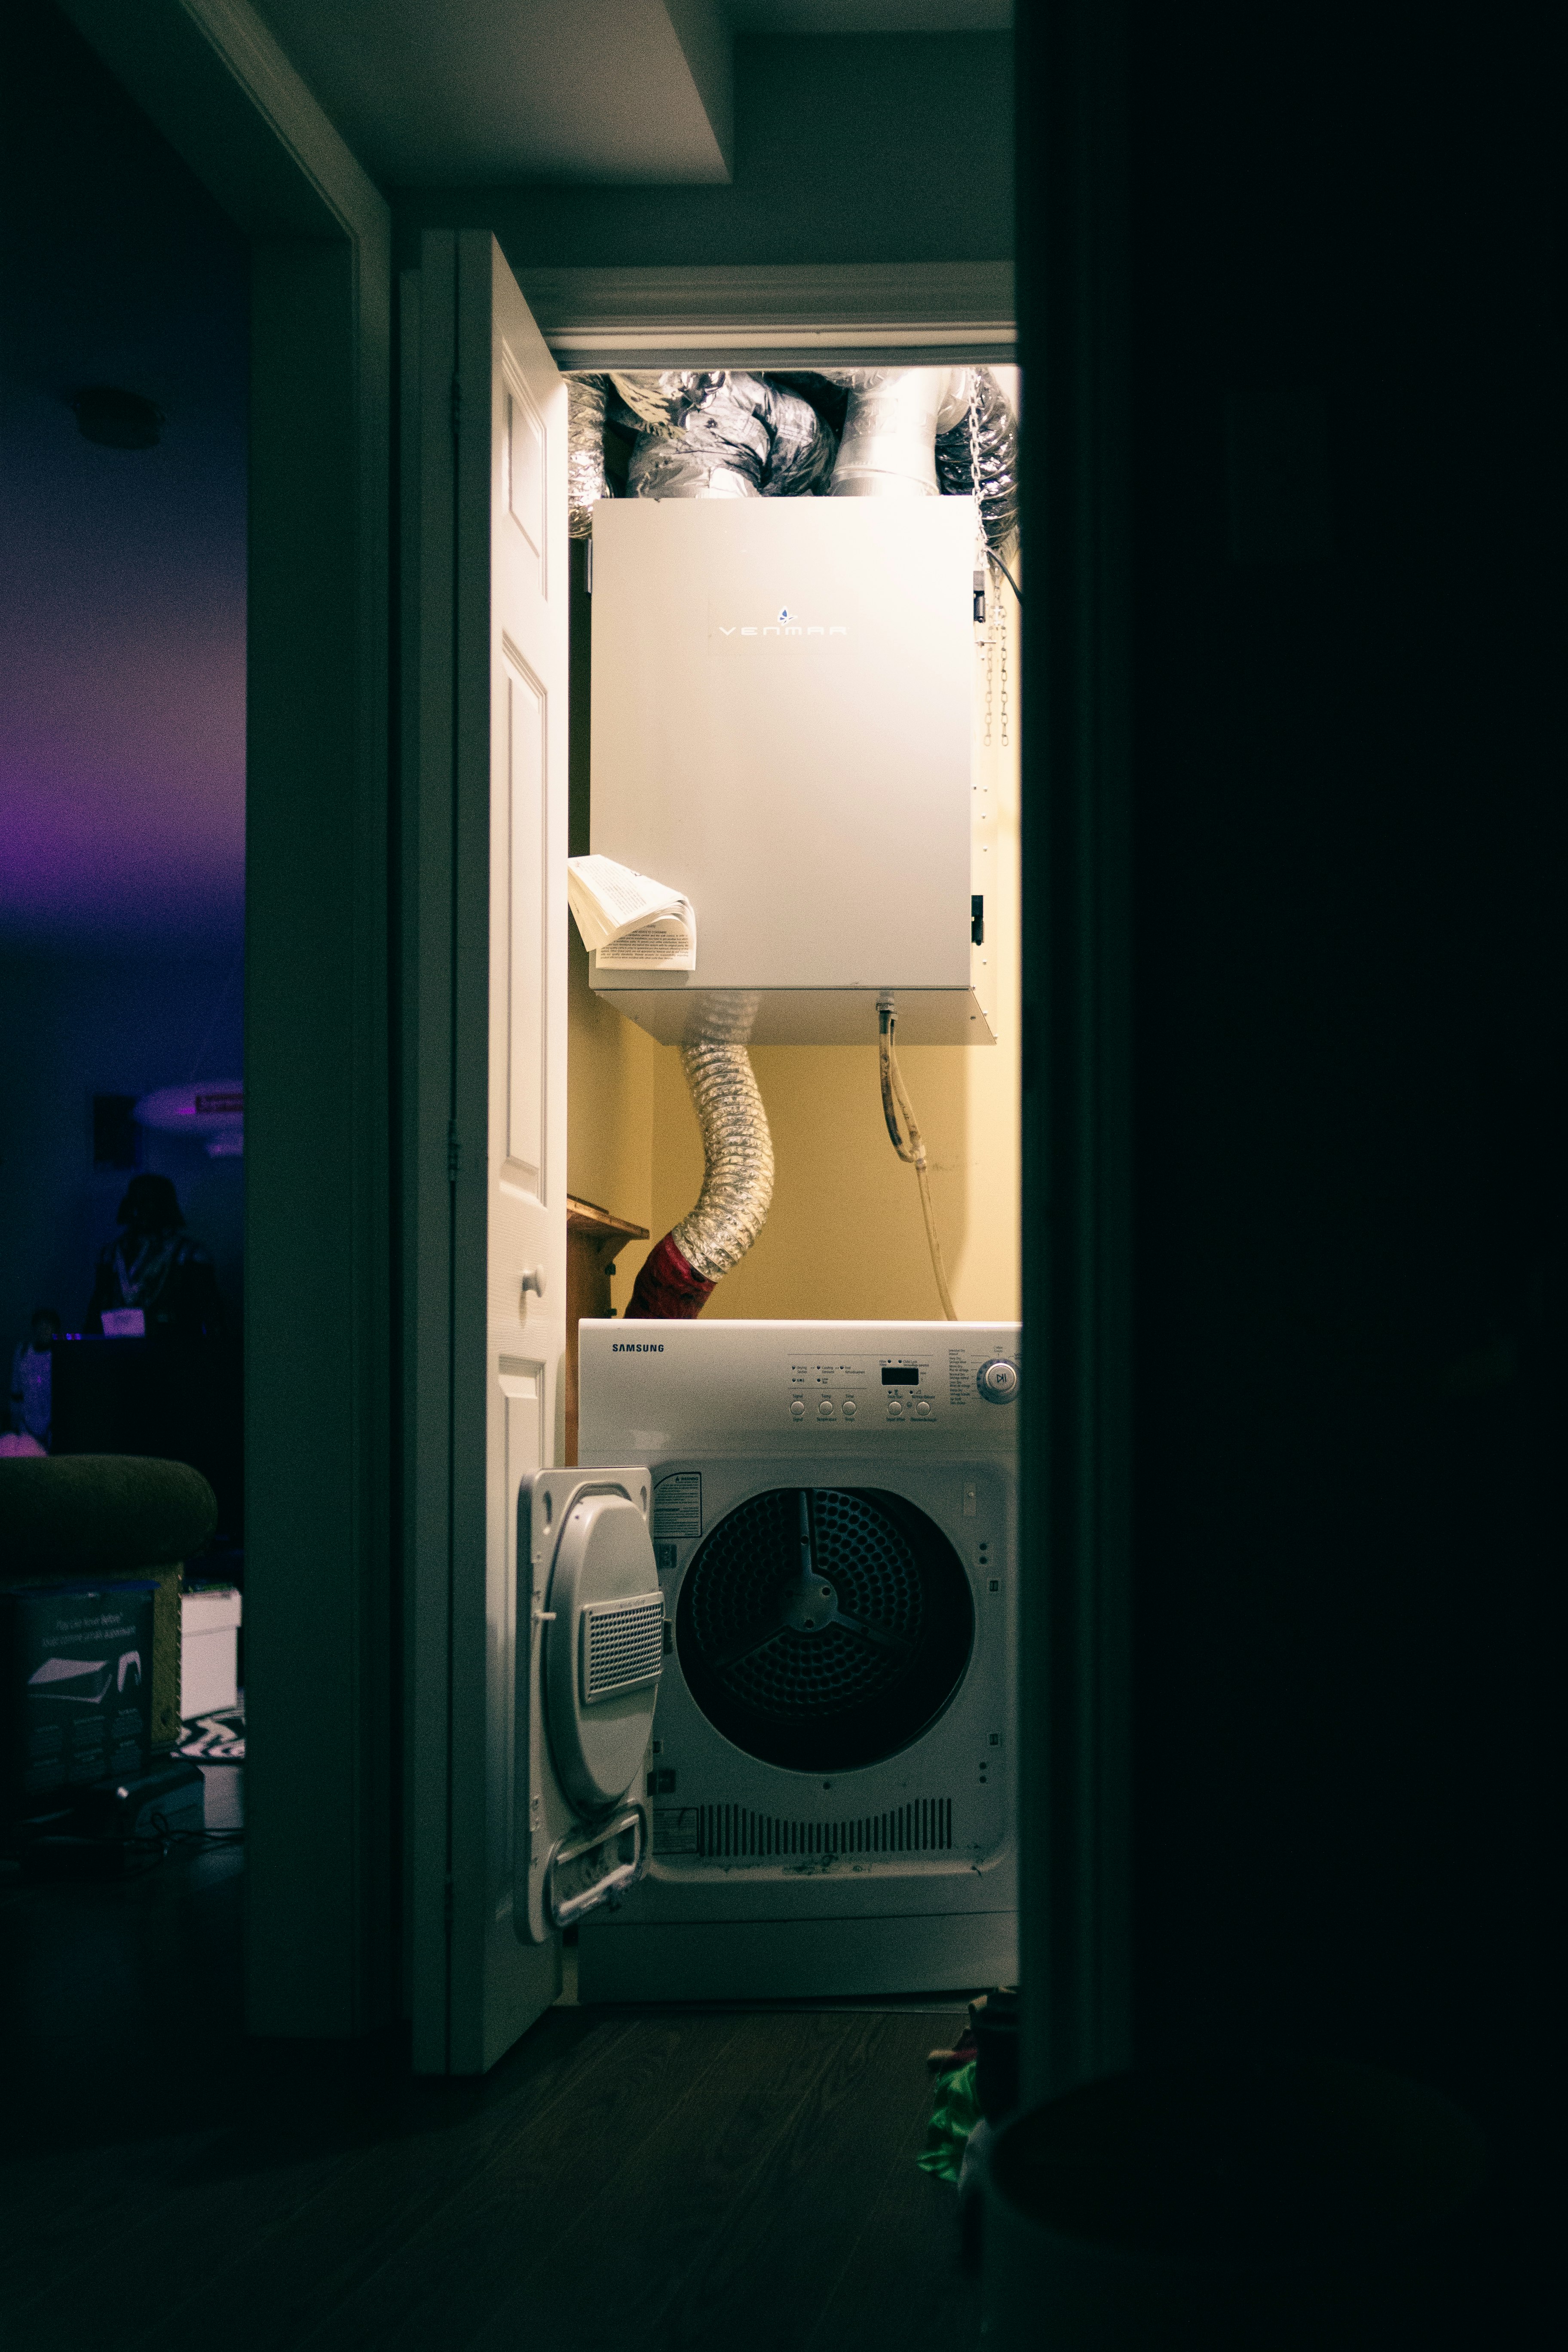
(587, 1692)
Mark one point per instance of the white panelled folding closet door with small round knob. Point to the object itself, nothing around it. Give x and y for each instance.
(485, 1045)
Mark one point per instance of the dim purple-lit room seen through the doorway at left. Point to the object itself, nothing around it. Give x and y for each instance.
(123, 940)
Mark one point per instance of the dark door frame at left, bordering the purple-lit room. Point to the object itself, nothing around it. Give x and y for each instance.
(319, 1205)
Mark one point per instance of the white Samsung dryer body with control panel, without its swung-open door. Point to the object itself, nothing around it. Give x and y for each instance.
(810, 1843)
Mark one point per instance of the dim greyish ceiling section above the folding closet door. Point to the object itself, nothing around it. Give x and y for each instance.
(610, 93)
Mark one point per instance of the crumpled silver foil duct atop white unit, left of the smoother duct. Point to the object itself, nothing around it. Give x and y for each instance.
(732, 439)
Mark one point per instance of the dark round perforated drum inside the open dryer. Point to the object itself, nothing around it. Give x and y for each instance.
(824, 1626)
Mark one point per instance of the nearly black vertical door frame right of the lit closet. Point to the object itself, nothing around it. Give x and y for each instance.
(1078, 1048)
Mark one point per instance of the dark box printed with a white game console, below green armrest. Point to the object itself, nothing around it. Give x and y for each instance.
(76, 1690)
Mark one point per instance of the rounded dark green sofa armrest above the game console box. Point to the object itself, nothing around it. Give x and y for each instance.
(100, 1514)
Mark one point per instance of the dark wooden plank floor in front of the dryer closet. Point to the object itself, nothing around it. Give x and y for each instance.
(669, 2181)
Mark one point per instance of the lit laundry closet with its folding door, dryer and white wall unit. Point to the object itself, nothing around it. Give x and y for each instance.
(725, 864)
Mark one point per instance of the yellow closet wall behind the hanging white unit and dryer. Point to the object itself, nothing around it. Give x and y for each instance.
(845, 1236)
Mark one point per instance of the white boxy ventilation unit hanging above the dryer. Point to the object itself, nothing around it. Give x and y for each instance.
(784, 730)
